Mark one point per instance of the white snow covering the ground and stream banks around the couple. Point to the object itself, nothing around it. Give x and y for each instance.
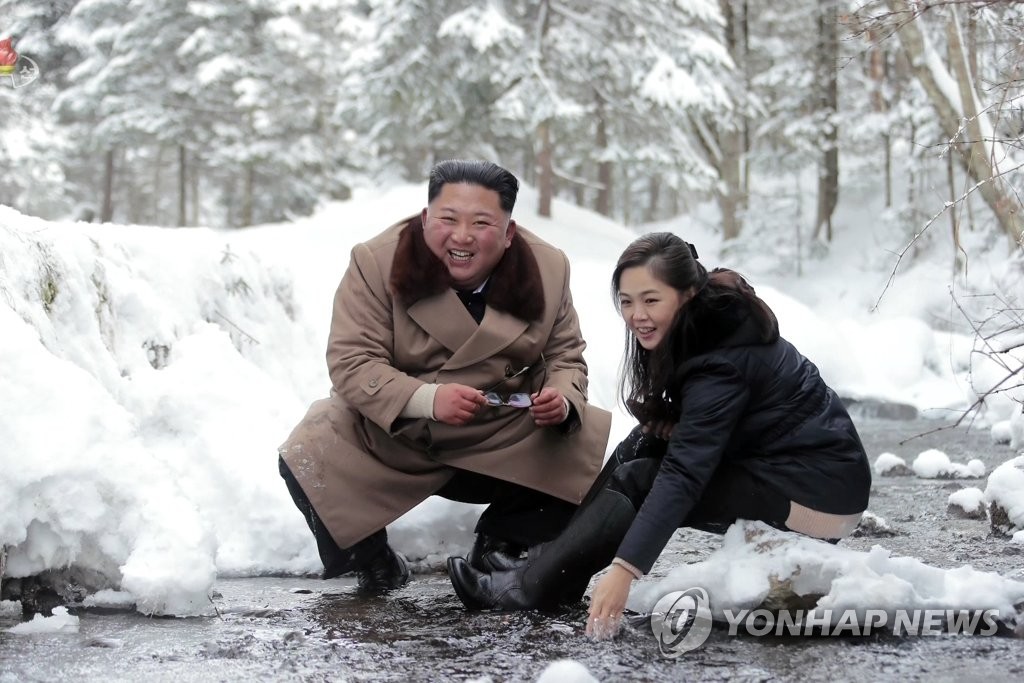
(148, 376)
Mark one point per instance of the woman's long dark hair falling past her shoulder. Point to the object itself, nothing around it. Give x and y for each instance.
(648, 383)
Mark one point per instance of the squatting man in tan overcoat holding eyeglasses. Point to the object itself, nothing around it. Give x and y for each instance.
(456, 360)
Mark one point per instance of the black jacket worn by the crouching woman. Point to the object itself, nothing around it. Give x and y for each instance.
(758, 406)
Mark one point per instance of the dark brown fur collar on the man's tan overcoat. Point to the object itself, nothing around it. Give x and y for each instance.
(515, 287)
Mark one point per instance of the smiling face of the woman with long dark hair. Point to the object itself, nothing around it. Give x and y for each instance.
(649, 306)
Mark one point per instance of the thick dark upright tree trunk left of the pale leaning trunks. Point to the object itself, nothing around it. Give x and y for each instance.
(828, 106)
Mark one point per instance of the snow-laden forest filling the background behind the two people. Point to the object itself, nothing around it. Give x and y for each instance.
(233, 113)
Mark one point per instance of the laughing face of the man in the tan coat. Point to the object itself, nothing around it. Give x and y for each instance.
(467, 230)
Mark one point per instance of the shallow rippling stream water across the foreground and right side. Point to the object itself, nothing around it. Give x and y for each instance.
(293, 629)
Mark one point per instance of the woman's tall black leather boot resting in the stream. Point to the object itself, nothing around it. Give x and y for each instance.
(556, 573)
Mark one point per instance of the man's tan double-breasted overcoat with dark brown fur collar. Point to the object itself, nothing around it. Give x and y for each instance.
(398, 324)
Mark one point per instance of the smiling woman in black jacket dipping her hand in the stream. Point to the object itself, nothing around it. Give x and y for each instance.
(736, 424)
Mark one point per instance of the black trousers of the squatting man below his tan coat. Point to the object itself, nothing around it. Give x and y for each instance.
(515, 514)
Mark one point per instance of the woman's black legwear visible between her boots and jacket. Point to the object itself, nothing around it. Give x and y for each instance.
(733, 493)
